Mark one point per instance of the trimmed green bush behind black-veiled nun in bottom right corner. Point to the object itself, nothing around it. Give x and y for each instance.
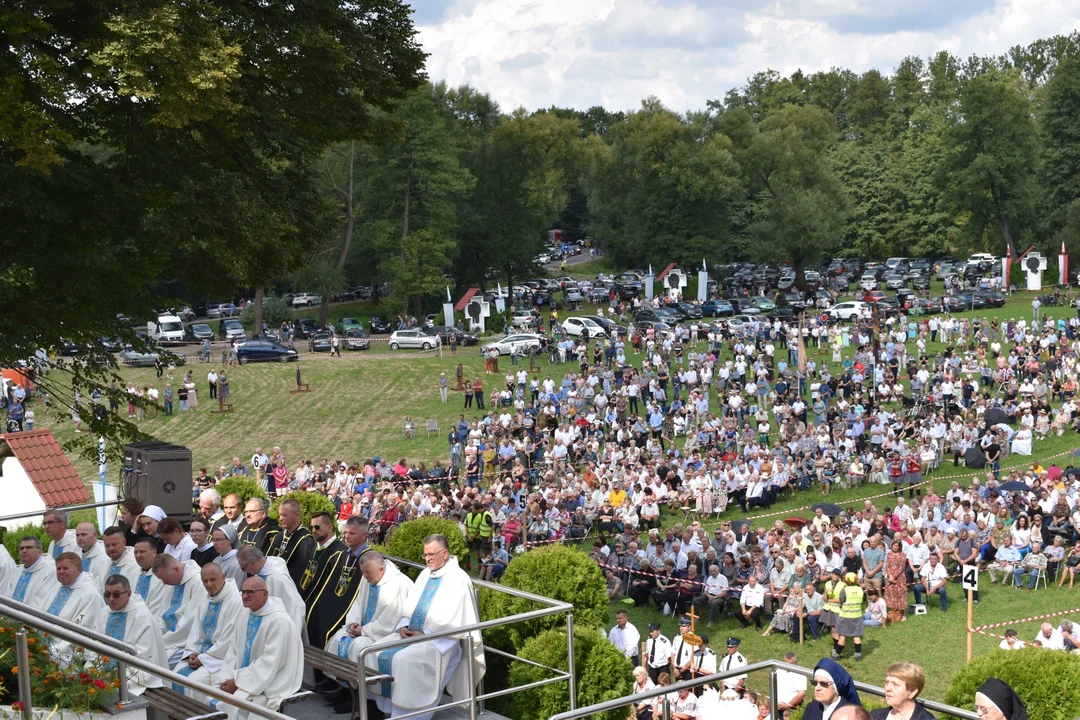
(1046, 681)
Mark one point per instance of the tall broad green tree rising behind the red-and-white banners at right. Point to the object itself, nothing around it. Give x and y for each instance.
(989, 165)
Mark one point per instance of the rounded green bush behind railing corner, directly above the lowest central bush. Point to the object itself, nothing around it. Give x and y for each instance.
(558, 573)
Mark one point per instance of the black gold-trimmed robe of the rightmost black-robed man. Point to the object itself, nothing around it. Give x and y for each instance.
(333, 592)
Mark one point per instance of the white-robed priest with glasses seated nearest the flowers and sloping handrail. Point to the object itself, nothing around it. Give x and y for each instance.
(127, 618)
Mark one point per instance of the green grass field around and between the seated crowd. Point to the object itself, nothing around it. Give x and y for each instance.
(356, 412)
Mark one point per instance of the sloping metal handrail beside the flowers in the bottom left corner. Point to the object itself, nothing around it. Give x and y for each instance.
(124, 659)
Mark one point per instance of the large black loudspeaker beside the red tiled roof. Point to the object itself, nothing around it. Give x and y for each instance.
(160, 474)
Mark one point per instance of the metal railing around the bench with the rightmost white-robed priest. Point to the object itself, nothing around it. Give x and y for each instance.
(476, 702)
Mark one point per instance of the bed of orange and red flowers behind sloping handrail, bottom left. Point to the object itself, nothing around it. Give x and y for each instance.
(74, 681)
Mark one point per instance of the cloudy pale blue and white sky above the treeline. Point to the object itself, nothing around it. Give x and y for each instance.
(579, 53)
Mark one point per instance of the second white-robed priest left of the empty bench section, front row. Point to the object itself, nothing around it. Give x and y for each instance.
(220, 612)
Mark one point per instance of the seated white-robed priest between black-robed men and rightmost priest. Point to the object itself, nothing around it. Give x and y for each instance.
(377, 609)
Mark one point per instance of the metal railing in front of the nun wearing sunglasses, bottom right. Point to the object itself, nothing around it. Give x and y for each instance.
(773, 665)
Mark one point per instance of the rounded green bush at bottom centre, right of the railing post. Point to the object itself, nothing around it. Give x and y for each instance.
(603, 672)
